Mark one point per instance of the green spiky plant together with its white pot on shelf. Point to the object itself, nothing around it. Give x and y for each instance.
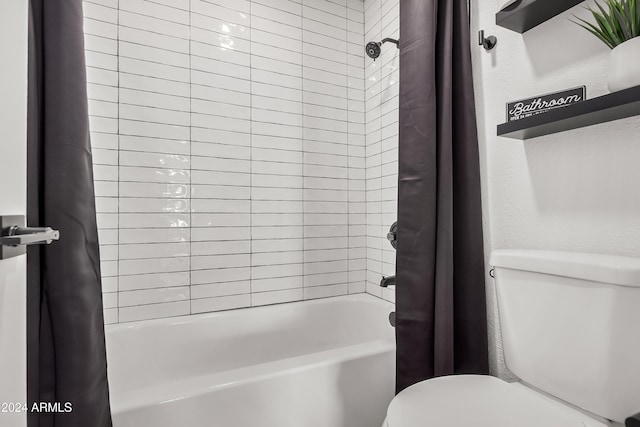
(618, 26)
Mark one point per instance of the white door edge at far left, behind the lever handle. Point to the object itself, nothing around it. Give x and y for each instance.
(13, 196)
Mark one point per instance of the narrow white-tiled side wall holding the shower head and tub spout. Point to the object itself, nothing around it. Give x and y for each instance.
(381, 147)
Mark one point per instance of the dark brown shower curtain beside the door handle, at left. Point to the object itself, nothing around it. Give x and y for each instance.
(66, 360)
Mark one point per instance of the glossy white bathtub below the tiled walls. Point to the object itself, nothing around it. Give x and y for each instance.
(320, 363)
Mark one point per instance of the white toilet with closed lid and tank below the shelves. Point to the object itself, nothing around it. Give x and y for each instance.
(570, 326)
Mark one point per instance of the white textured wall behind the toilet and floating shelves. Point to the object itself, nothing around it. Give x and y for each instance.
(574, 191)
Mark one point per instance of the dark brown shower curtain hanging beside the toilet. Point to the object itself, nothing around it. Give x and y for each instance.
(441, 325)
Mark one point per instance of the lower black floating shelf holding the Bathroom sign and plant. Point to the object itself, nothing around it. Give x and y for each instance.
(615, 106)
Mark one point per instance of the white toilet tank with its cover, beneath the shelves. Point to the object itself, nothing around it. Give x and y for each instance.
(570, 326)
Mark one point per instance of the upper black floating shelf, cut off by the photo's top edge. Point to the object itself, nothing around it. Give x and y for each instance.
(523, 15)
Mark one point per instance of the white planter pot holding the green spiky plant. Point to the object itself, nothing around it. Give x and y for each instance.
(624, 66)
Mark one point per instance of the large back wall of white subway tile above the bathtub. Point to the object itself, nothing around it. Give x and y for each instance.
(229, 152)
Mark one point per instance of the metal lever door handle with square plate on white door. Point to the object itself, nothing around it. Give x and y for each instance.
(15, 237)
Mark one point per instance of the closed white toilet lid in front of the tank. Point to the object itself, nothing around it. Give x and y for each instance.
(480, 401)
